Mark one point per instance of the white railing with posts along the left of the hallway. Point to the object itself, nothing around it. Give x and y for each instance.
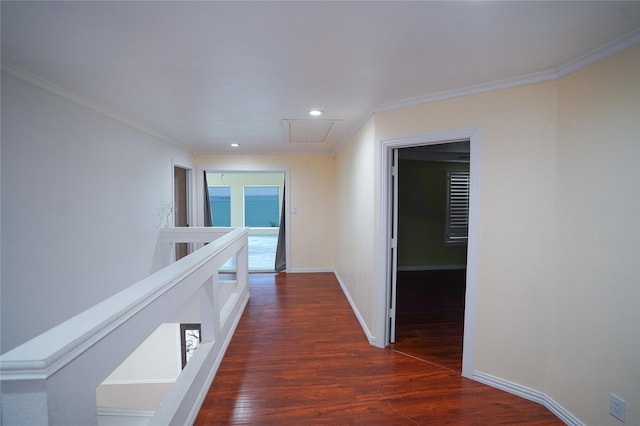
(52, 379)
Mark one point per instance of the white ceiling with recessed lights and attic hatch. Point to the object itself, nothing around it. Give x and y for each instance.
(204, 74)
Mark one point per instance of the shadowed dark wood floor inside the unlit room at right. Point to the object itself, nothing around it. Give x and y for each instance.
(430, 315)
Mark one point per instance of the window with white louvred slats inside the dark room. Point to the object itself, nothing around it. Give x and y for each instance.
(457, 206)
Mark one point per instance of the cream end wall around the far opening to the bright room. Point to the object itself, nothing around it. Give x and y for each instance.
(312, 193)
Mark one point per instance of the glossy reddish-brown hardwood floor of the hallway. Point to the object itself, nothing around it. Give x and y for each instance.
(299, 357)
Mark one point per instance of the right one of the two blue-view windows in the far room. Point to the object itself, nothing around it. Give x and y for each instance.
(262, 206)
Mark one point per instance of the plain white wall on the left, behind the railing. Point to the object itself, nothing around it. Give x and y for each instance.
(81, 201)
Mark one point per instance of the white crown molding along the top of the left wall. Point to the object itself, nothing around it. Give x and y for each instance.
(67, 94)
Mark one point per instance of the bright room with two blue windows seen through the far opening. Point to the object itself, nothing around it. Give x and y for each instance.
(254, 199)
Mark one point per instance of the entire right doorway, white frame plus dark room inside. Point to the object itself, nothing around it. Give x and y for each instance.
(425, 277)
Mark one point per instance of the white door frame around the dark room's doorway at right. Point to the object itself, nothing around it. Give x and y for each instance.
(384, 296)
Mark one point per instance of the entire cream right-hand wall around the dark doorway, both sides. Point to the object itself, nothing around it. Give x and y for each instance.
(559, 274)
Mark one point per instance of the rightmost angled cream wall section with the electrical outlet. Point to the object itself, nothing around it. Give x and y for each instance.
(594, 340)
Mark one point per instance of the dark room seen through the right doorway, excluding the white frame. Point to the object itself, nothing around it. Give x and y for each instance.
(432, 225)
